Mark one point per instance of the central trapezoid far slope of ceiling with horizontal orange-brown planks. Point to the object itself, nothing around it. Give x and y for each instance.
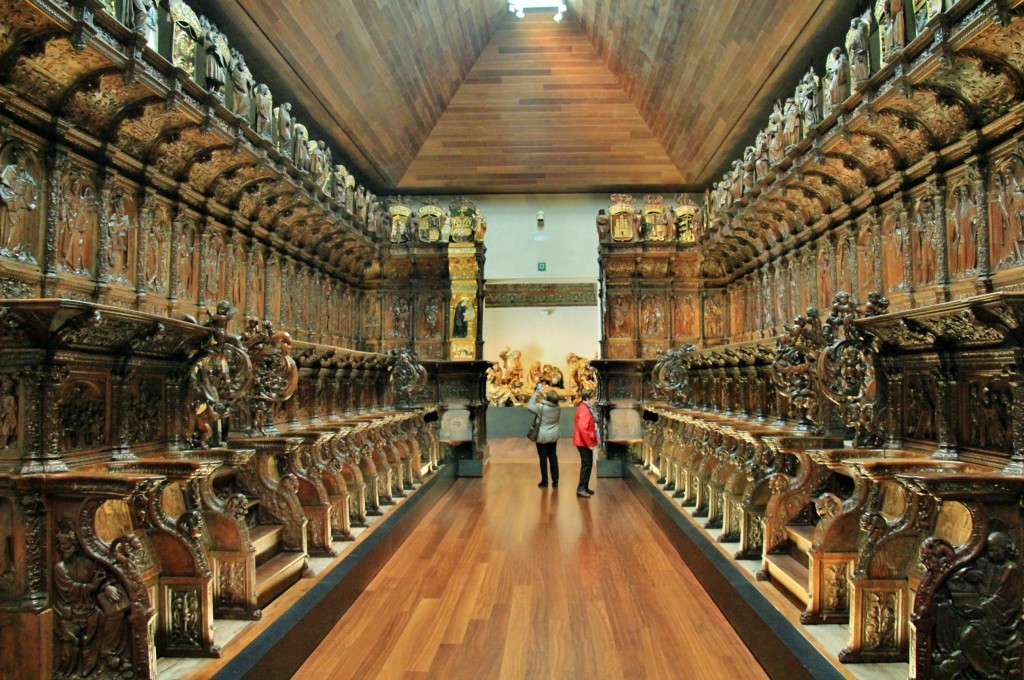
(540, 112)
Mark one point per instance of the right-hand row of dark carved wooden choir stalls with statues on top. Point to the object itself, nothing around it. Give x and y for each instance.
(870, 453)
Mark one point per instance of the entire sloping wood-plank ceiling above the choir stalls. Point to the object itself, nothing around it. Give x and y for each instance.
(450, 97)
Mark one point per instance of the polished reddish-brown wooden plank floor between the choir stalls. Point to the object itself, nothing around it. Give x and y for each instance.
(505, 580)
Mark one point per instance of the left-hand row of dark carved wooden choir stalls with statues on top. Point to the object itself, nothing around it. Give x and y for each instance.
(198, 392)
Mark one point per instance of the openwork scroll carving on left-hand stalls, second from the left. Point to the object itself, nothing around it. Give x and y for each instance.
(275, 374)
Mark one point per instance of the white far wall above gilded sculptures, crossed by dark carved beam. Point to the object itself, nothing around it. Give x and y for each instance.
(569, 246)
